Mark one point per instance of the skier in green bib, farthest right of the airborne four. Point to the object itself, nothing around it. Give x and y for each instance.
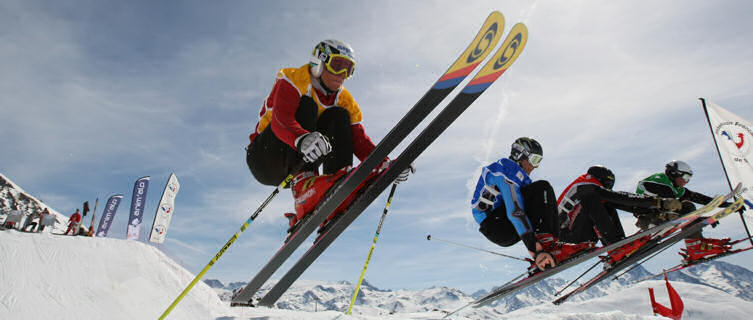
(671, 183)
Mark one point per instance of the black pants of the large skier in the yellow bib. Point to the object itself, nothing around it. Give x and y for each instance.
(271, 160)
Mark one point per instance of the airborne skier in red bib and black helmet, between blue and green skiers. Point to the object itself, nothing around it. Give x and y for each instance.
(588, 210)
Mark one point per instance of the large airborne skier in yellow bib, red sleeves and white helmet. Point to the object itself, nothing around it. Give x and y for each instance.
(310, 117)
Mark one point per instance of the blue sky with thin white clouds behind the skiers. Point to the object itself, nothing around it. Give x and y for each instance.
(94, 95)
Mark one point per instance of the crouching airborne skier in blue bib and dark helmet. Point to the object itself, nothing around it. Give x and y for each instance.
(510, 207)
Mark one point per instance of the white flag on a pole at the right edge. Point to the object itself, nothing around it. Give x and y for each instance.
(734, 138)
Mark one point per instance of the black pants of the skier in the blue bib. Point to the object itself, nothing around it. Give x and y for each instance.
(540, 208)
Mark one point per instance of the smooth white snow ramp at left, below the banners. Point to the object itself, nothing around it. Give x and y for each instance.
(44, 276)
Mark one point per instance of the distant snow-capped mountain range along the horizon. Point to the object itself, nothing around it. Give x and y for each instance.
(307, 295)
